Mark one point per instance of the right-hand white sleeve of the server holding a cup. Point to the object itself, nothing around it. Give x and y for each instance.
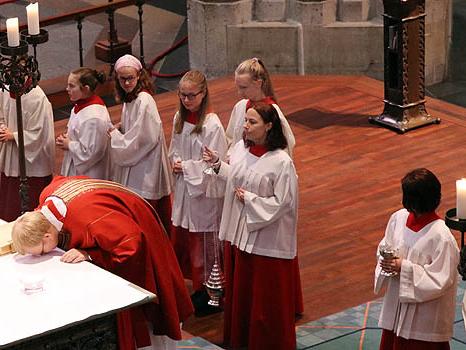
(421, 283)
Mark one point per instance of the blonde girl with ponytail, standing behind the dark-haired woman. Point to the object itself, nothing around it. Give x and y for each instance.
(253, 83)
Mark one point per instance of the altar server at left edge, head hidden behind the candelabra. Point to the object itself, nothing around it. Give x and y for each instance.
(39, 149)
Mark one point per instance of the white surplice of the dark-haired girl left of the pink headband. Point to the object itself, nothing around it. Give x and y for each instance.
(88, 152)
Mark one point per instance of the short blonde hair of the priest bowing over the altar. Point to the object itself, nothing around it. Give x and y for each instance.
(29, 230)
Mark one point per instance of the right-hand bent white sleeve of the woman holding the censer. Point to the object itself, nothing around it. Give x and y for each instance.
(262, 211)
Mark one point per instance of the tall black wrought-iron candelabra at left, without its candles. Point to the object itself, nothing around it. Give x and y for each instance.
(19, 74)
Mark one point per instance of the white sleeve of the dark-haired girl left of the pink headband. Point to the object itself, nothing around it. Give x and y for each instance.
(91, 145)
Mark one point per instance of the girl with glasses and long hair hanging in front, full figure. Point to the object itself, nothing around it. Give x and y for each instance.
(196, 215)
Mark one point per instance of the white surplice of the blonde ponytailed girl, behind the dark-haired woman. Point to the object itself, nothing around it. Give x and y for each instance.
(235, 128)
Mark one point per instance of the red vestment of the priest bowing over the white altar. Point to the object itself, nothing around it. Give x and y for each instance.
(122, 234)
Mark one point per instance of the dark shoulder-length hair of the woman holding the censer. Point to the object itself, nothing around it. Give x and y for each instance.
(274, 138)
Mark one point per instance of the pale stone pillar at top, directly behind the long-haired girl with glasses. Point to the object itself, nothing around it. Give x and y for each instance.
(207, 30)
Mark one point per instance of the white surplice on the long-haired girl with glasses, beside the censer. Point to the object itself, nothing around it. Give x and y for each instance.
(192, 208)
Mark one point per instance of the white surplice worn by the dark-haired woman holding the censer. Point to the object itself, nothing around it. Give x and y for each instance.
(266, 223)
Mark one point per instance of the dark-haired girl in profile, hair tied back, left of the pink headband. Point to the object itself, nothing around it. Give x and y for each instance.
(86, 142)
